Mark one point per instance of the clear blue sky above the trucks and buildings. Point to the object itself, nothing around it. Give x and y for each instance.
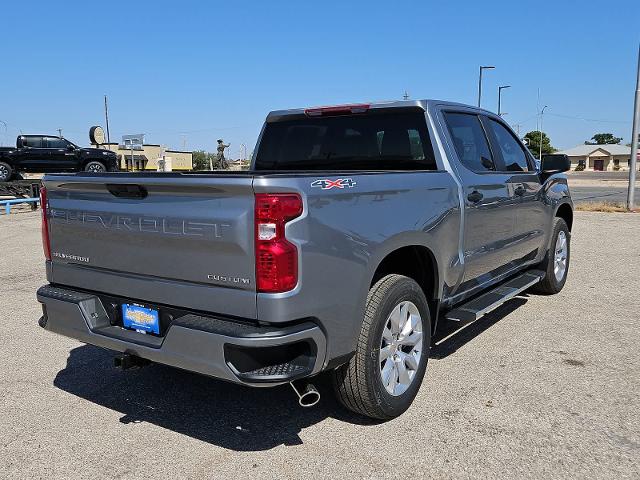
(198, 71)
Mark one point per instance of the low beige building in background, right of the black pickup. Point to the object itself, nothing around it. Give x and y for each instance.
(146, 159)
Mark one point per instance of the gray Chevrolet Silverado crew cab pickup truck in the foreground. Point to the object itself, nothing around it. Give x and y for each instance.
(357, 230)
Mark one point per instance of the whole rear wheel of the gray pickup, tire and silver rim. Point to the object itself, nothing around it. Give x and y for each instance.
(384, 376)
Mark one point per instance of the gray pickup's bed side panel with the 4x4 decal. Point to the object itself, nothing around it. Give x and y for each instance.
(344, 234)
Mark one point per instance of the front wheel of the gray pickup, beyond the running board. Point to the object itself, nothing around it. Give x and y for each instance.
(556, 262)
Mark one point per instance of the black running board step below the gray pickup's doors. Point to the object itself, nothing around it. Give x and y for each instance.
(479, 306)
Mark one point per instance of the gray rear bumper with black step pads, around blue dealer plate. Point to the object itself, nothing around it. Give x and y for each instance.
(232, 351)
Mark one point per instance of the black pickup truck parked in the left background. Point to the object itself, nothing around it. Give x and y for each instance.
(46, 154)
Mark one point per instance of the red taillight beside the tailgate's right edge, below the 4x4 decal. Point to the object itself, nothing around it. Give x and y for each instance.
(276, 257)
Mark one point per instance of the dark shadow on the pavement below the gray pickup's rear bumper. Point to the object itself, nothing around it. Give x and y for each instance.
(220, 413)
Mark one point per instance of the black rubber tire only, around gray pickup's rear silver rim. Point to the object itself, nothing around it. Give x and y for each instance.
(358, 384)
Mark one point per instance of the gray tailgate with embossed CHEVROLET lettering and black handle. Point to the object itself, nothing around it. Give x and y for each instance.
(184, 240)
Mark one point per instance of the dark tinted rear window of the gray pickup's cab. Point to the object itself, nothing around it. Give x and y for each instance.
(376, 140)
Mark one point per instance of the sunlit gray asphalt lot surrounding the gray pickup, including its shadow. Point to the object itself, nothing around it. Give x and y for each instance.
(542, 387)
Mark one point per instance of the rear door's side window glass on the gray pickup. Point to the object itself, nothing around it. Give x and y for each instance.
(470, 141)
